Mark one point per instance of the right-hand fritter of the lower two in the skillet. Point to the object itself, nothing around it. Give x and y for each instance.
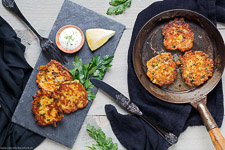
(196, 67)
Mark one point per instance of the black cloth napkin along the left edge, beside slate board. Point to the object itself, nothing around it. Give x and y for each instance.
(14, 73)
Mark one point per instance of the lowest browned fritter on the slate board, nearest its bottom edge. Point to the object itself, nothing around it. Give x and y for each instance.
(46, 108)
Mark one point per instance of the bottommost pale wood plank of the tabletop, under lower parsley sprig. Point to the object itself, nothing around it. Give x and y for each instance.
(195, 138)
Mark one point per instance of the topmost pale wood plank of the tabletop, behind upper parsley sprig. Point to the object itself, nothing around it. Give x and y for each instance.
(42, 13)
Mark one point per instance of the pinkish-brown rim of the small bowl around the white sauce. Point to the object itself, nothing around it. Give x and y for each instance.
(59, 44)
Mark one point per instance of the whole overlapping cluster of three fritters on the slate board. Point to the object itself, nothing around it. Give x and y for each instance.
(57, 94)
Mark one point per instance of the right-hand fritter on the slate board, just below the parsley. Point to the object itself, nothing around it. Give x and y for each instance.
(72, 96)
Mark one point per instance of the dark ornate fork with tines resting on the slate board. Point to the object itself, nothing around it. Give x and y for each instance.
(47, 46)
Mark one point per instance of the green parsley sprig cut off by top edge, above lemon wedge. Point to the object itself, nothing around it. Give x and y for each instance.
(119, 6)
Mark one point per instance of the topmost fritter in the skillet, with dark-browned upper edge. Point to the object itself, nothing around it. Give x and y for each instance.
(177, 35)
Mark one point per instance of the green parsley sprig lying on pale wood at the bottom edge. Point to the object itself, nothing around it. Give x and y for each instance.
(99, 136)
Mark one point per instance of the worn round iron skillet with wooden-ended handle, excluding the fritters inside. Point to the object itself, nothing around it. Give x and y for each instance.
(149, 43)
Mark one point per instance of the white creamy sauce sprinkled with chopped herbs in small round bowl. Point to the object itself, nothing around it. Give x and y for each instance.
(70, 38)
